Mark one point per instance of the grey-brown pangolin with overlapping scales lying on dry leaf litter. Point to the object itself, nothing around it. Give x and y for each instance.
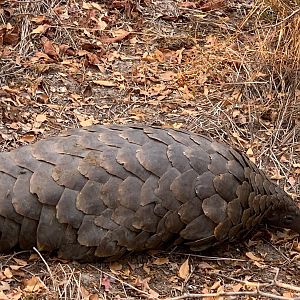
(102, 191)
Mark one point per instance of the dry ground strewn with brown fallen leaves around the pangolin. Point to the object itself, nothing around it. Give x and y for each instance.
(198, 65)
